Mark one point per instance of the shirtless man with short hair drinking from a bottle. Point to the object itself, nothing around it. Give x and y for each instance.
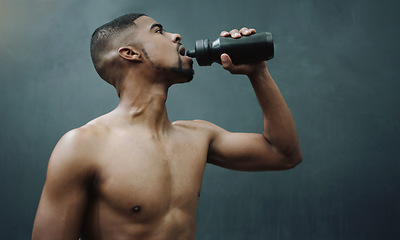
(133, 174)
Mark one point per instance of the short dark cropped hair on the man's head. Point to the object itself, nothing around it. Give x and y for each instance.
(101, 39)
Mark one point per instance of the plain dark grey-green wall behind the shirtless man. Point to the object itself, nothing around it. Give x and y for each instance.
(336, 63)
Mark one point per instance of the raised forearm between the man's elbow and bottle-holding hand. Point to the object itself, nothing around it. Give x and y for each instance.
(279, 126)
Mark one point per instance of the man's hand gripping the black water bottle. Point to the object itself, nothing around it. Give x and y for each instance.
(246, 69)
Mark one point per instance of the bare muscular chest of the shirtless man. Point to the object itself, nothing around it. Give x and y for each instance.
(144, 174)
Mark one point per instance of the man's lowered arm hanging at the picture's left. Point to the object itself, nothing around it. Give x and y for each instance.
(65, 193)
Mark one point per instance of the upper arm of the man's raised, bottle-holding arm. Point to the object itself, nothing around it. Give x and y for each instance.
(247, 152)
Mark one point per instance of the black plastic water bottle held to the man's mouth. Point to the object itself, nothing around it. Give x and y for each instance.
(247, 49)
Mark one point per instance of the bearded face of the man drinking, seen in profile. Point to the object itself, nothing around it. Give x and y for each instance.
(163, 50)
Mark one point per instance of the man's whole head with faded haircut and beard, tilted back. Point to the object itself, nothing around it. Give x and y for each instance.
(134, 39)
